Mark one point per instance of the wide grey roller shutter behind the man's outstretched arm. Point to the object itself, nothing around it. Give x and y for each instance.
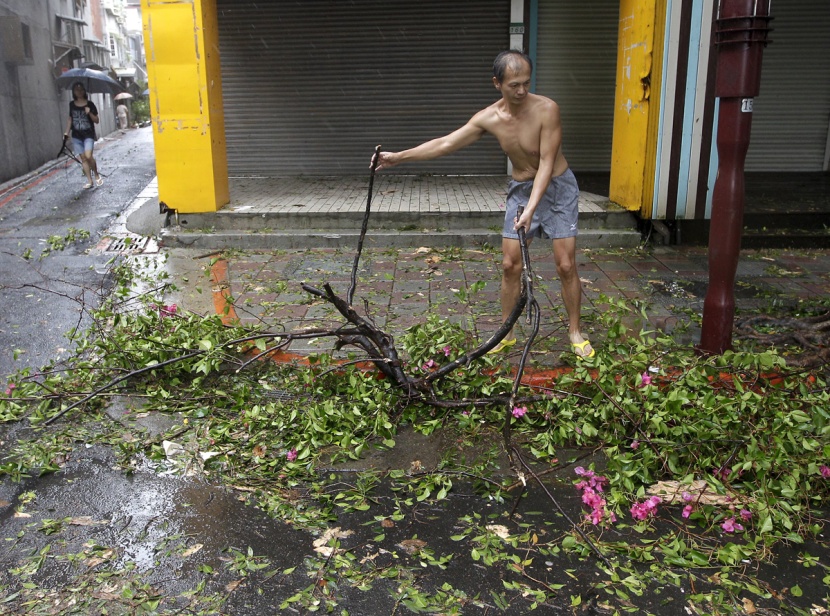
(312, 87)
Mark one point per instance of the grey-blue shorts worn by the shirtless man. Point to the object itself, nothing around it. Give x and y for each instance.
(557, 214)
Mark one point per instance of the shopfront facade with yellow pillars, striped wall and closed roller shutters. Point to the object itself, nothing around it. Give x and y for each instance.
(283, 88)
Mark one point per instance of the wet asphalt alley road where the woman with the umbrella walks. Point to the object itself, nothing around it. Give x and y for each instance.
(43, 299)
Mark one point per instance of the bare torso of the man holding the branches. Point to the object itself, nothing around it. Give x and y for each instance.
(519, 131)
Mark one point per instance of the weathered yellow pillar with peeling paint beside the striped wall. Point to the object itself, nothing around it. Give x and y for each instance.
(636, 116)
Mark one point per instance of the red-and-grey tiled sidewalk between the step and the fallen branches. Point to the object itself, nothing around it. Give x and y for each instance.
(398, 288)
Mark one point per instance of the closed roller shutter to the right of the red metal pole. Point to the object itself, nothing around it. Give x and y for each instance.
(791, 114)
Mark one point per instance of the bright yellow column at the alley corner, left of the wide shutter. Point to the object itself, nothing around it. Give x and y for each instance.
(181, 40)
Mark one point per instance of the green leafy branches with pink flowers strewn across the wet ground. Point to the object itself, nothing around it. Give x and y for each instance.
(708, 465)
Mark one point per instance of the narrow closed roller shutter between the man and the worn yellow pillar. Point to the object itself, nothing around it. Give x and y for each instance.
(576, 63)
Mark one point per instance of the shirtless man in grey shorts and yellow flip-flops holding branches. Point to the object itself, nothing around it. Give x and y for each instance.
(528, 129)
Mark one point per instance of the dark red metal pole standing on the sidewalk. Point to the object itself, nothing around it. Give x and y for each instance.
(740, 33)
